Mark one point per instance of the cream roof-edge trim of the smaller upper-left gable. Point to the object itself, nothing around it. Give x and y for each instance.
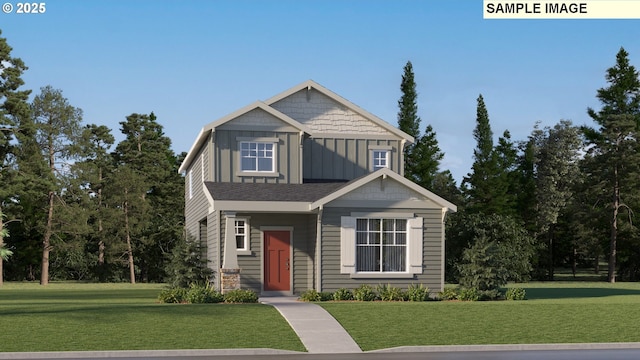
(211, 127)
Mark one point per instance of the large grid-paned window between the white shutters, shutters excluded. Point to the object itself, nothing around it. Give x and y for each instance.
(381, 245)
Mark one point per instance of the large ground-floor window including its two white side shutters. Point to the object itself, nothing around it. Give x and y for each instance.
(379, 245)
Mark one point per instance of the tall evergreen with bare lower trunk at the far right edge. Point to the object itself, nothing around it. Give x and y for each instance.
(615, 147)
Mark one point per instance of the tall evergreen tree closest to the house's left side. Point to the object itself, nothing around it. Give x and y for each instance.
(146, 151)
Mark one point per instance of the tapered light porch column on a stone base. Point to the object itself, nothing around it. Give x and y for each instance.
(230, 271)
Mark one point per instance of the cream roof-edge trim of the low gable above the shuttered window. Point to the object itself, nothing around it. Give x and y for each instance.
(383, 173)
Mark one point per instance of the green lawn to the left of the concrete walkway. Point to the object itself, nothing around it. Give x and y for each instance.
(82, 317)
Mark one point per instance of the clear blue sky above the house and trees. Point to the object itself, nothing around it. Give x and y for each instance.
(192, 62)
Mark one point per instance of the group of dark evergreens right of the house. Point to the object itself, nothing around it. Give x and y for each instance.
(564, 197)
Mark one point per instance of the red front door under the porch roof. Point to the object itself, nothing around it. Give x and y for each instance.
(277, 260)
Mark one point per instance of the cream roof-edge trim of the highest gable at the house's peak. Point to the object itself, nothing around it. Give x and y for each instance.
(310, 84)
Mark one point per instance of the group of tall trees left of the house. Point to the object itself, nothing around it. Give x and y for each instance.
(73, 203)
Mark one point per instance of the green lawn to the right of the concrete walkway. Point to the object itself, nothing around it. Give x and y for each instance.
(555, 313)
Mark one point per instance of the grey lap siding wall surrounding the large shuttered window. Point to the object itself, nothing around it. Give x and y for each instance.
(332, 279)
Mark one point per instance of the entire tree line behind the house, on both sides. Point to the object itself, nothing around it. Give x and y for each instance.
(76, 205)
